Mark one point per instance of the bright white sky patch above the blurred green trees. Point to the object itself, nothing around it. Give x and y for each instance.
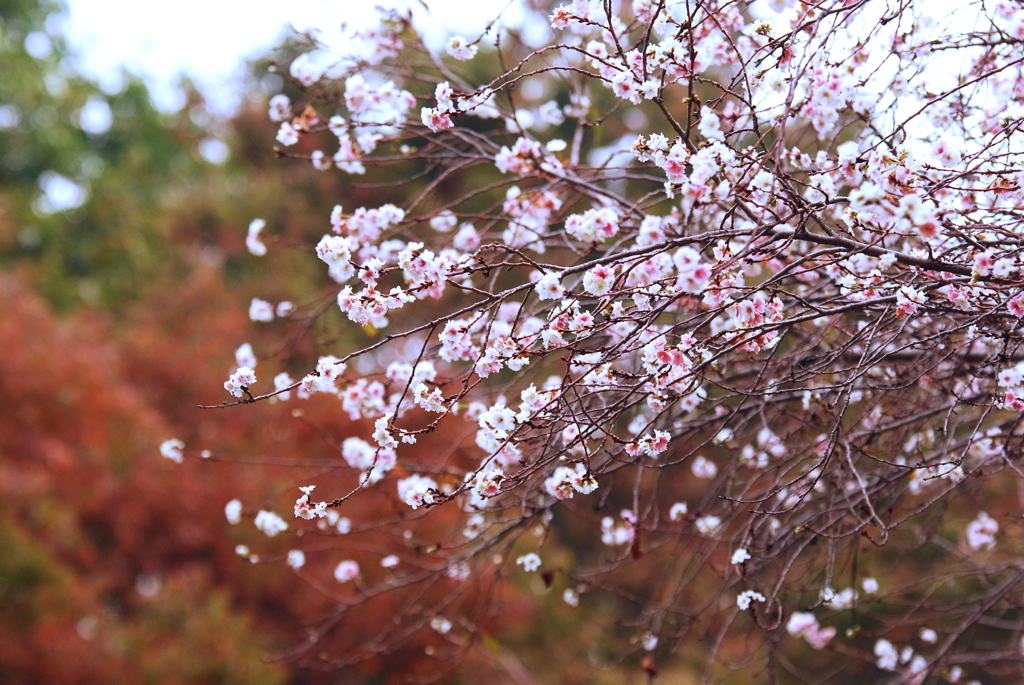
(209, 40)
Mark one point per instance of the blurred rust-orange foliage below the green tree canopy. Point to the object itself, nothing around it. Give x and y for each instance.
(118, 566)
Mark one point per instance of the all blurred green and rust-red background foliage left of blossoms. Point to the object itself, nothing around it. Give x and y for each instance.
(124, 287)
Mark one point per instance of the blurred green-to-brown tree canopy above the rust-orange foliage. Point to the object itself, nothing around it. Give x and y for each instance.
(102, 195)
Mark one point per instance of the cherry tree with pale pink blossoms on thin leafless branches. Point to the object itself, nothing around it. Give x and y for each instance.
(717, 307)
